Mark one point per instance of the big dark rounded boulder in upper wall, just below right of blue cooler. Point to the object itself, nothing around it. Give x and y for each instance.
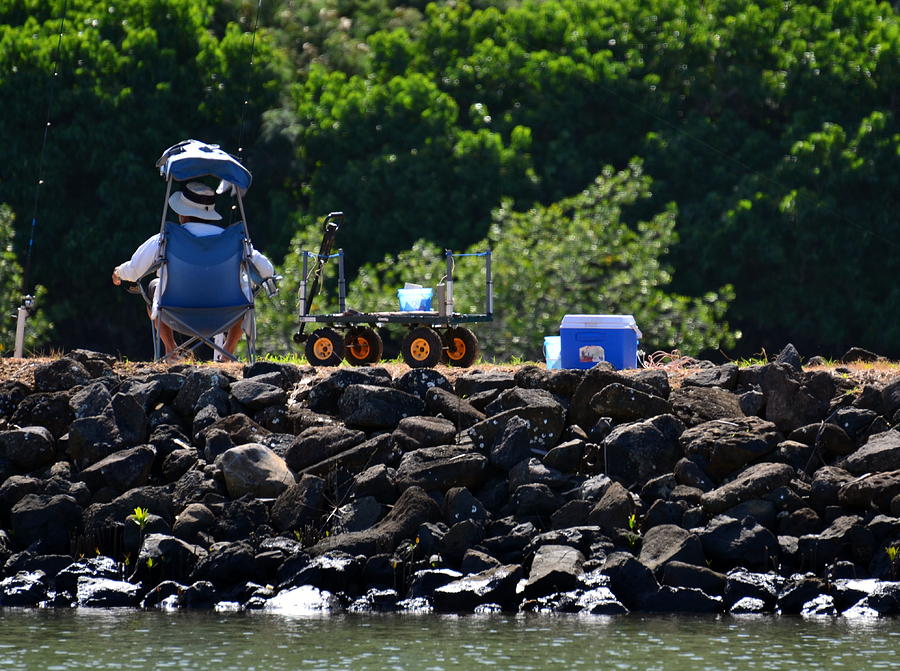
(637, 452)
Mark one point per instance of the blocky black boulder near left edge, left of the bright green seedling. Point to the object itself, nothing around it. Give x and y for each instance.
(48, 521)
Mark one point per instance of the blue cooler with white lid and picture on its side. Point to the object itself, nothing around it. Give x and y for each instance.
(589, 339)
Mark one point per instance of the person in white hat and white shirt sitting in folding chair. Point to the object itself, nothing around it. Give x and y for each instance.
(195, 206)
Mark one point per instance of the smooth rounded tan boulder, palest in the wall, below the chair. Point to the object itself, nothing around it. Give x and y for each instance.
(255, 470)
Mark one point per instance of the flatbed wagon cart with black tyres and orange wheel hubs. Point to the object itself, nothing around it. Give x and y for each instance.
(434, 336)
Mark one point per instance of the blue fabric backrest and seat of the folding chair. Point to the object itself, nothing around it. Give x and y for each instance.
(203, 294)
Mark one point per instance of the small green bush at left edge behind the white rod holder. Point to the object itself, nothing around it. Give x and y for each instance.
(37, 328)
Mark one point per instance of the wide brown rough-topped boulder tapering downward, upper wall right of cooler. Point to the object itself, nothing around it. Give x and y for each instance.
(727, 445)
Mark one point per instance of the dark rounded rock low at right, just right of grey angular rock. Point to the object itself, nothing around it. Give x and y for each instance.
(729, 542)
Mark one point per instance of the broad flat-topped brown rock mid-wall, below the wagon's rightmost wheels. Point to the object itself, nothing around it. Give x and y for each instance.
(440, 468)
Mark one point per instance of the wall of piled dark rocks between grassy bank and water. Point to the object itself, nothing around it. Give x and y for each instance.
(764, 489)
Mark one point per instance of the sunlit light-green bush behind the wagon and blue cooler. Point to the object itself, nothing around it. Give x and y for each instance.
(578, 255)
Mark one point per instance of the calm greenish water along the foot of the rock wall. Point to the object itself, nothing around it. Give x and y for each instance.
(60, 640)
